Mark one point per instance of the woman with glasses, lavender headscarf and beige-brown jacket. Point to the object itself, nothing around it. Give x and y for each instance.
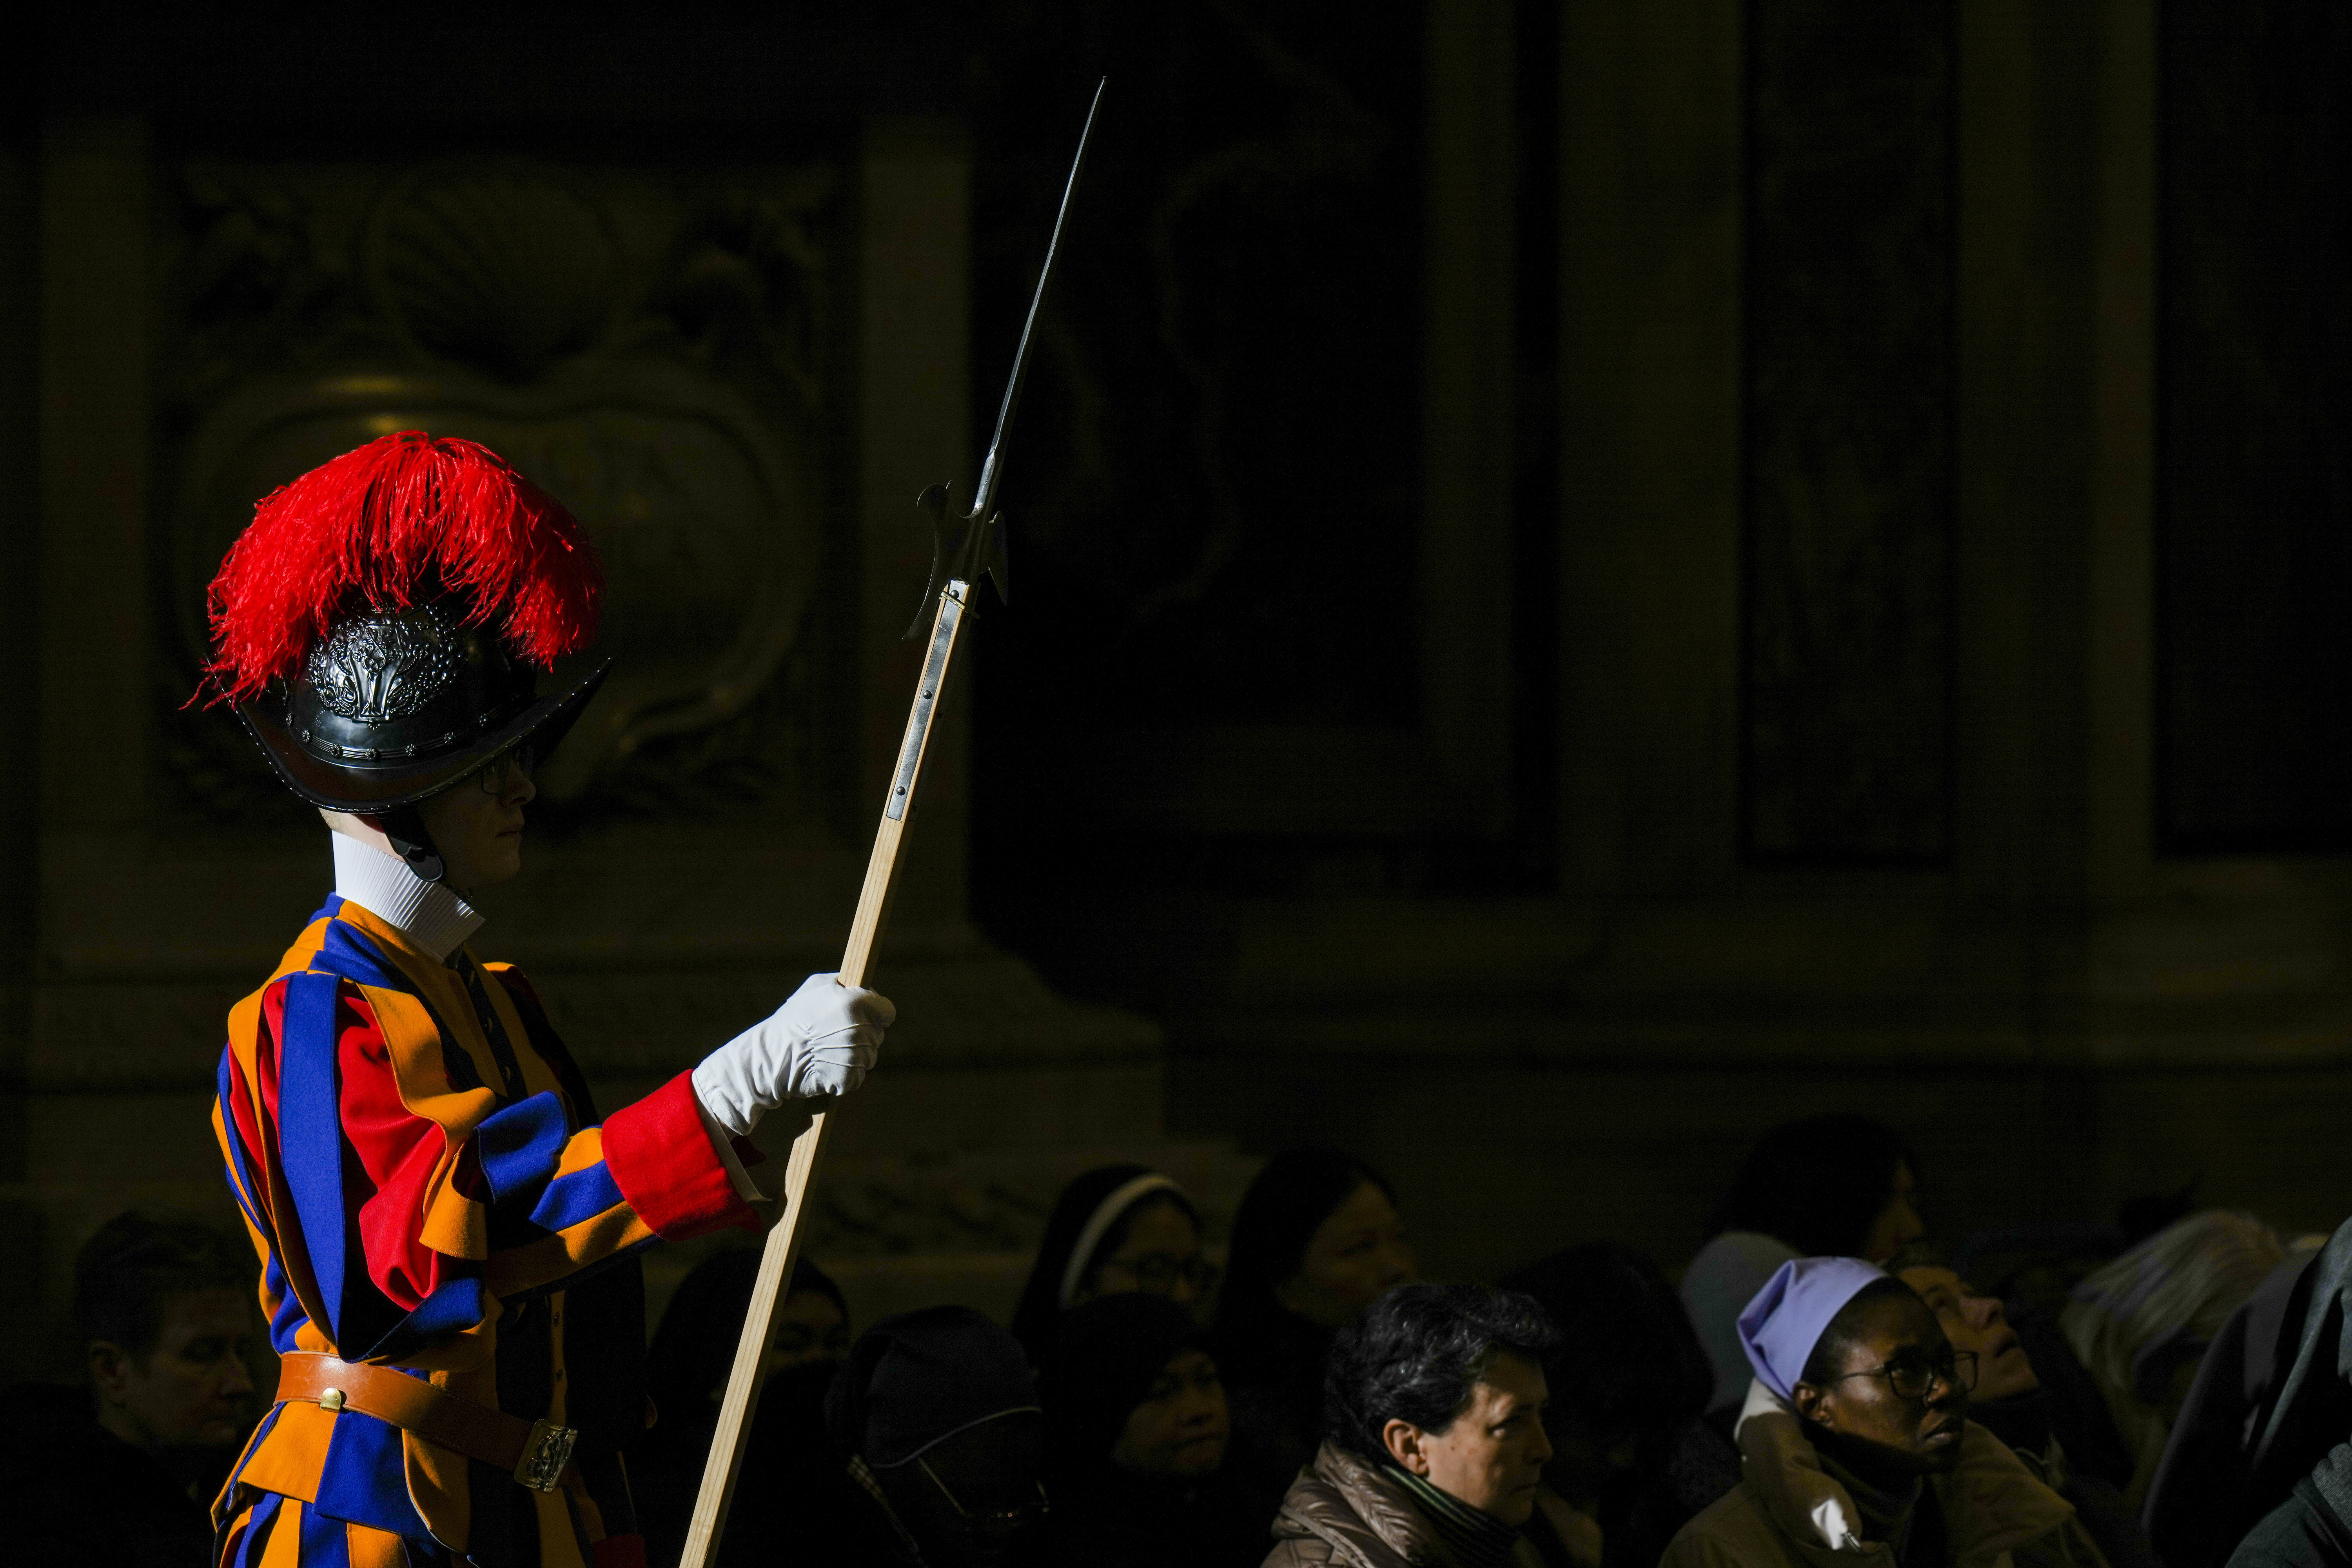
(1857, 1445)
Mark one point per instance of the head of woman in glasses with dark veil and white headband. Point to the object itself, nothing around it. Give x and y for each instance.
(1114, 1231)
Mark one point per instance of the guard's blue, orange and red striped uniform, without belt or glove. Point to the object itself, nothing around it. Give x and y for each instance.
(429, 1188)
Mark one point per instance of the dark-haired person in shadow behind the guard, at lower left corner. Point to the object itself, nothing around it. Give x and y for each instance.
(121, 1473)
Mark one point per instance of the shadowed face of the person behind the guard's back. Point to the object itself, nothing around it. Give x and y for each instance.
(192, 1391)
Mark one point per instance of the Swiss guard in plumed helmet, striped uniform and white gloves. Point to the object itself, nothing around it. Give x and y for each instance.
(448, 1226)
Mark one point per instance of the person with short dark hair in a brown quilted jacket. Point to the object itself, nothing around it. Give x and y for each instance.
(1434, 1435)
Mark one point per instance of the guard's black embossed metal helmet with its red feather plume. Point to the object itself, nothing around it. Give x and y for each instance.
(382, 622)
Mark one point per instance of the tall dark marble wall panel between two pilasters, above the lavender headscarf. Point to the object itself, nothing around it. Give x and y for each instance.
(1850, 464)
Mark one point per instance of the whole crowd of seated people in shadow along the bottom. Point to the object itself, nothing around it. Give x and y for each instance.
(1817, 1388)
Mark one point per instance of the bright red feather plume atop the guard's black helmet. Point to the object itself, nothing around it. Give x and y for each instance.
(387, 525)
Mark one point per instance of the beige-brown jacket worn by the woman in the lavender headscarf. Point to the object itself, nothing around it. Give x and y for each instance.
(1789, 1515)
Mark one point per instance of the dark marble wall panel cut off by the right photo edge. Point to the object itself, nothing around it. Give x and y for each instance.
(2254, 476)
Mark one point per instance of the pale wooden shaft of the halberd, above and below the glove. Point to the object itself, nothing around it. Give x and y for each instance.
(742, 1400)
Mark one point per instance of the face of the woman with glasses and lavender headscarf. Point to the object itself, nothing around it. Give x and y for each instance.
(1899, 1346)
